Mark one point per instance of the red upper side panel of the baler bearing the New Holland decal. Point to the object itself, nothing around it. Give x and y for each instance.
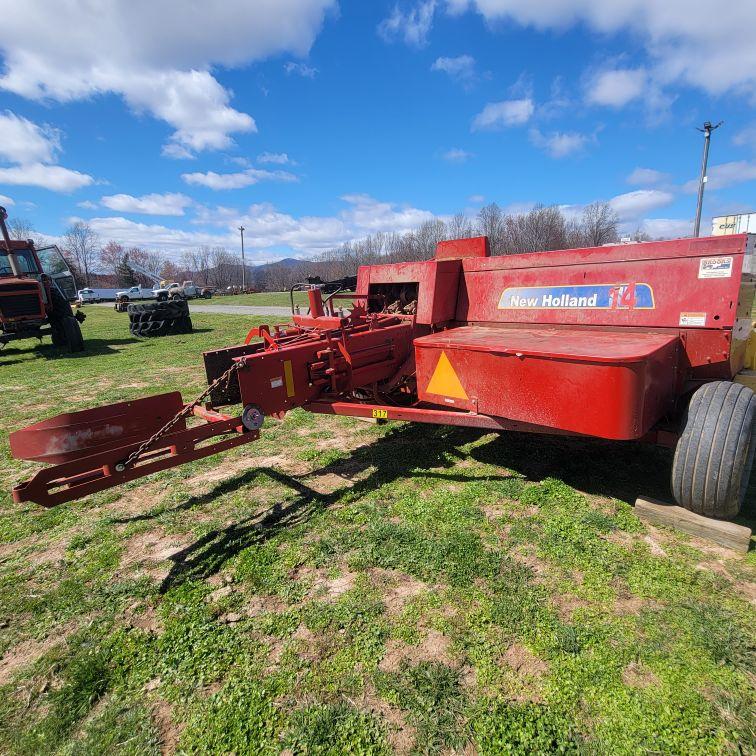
(685, 283)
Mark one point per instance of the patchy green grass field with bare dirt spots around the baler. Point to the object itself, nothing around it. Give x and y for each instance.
(339, 587)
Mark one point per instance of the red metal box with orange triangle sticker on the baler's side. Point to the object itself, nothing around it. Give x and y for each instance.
(609, 384)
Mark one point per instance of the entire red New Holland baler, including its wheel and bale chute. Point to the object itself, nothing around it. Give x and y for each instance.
(632, 342)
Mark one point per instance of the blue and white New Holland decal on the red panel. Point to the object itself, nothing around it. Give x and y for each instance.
(627, 296)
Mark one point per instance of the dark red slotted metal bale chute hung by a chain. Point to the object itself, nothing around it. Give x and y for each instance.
(96, 449)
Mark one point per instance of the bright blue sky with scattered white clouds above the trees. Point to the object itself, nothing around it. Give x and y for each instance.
(312, 122)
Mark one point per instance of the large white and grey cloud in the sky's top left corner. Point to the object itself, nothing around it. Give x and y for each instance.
(157, 56)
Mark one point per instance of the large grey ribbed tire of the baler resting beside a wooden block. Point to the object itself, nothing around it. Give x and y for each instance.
(714, 456)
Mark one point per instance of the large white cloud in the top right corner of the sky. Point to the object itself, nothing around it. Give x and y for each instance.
(686, 41)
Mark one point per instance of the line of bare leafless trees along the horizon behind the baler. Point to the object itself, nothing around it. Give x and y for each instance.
(542, 228)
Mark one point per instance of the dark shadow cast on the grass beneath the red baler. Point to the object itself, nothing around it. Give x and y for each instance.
(623, 471)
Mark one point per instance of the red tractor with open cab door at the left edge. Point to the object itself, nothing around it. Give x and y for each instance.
(31, 302)
